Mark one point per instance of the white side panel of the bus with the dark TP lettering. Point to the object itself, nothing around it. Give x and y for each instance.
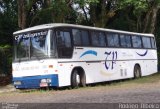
(102, 67)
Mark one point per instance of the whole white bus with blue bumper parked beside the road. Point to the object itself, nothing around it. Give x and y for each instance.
(73, 55)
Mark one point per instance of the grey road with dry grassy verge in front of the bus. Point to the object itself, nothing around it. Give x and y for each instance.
(122, 93)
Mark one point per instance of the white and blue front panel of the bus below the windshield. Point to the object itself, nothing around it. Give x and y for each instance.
(30, 74)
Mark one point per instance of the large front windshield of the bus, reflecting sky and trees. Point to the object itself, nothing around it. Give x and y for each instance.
(33, 45)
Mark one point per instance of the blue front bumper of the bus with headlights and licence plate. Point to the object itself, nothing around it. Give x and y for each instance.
(34, 82)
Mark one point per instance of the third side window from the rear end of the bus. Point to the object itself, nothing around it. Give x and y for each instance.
(136, 40)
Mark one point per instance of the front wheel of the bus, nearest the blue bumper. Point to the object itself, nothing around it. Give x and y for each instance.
(78, 78)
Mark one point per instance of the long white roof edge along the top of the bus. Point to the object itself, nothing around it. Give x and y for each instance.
(52, 25)
